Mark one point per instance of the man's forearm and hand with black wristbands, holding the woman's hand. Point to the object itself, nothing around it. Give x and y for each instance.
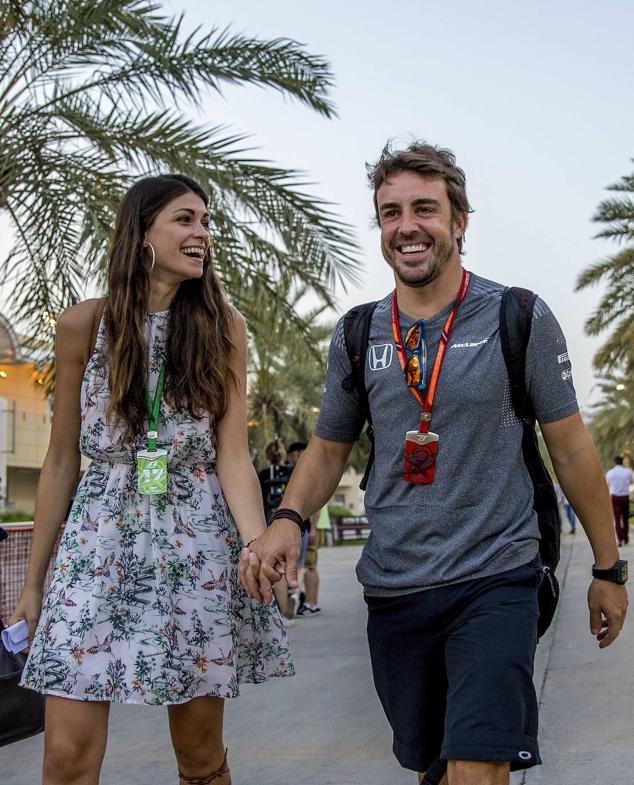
(312, 484)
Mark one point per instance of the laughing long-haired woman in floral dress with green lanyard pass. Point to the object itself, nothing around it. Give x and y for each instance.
(144, 605)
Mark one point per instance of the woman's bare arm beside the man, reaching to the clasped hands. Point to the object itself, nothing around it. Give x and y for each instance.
(237, 476)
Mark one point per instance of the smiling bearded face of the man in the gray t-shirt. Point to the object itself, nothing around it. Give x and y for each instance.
(418, 233)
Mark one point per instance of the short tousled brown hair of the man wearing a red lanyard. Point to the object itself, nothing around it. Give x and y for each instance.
(427, 160)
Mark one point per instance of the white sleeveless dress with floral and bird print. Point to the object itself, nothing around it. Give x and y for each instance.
(144, 605)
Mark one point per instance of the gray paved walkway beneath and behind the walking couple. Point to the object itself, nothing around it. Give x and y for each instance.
(326, 727)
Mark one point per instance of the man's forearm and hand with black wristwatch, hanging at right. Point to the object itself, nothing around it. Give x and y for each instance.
(579, 471)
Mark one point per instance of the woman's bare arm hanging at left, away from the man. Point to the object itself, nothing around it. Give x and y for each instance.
(60, 470)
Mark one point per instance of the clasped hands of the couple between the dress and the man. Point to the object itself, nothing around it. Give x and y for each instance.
(272, 556)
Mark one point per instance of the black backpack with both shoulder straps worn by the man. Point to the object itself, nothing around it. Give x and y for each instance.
(516, 312)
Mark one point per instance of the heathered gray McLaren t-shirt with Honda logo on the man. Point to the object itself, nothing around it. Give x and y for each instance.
(476, 518)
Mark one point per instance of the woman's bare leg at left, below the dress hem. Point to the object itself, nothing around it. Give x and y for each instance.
(74, 741)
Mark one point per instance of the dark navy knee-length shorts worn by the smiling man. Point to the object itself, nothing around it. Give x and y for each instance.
(453, 668)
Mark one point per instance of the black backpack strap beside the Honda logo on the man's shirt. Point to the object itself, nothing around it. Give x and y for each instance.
(356, 333)
